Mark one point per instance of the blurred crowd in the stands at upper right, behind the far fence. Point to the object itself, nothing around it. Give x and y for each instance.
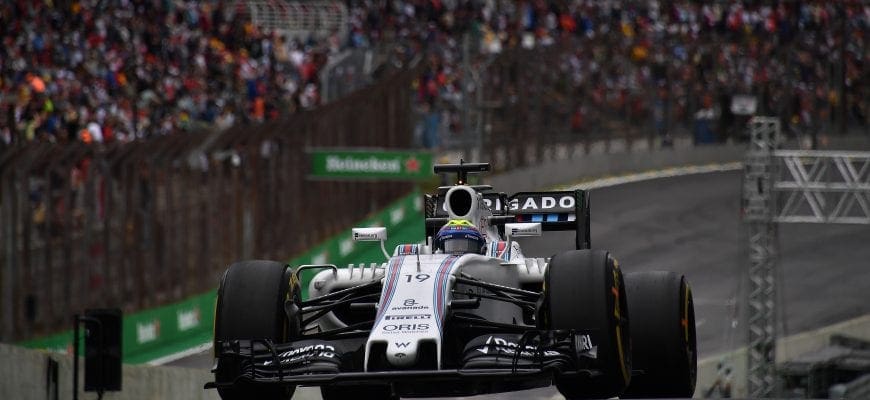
(665, 64)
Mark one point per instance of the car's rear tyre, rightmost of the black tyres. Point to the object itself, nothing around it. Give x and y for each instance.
(662, 335)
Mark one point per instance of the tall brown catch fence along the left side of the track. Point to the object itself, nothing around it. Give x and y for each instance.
(147, 223)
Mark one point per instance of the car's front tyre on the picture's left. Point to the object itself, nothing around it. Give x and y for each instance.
(250, 305)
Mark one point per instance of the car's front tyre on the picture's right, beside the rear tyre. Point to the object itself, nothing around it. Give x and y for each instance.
(584, 291)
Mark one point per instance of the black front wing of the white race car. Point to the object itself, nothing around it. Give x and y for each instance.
(529, 360)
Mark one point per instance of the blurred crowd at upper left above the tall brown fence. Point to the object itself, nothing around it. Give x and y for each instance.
(103, 71)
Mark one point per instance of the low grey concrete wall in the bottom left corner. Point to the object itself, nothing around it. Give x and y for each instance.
(23, 376)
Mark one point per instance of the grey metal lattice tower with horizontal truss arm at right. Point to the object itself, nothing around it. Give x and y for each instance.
(815, 187)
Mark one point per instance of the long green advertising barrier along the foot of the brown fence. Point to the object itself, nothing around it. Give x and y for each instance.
(150, 335)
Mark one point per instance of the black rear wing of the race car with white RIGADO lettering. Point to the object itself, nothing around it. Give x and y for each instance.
(556, 211)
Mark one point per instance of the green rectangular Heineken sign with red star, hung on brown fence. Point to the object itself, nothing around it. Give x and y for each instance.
(370, 164)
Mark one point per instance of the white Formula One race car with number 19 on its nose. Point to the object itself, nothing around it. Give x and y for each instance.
(464, 313)
